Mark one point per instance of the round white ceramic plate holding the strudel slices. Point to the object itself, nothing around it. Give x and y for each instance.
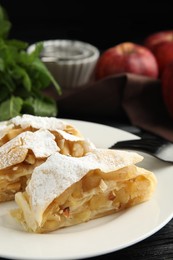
(99, 236)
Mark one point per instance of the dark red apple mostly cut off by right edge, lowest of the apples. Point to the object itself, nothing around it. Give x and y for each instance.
(167, 87)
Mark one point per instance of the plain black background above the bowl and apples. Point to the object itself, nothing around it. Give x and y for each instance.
(103, 23)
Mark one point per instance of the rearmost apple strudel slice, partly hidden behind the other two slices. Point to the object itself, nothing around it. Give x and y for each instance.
(68, 138)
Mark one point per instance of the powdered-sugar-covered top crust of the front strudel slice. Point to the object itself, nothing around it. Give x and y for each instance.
(59, 172)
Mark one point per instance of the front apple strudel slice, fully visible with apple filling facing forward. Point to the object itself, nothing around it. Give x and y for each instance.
(66, 190)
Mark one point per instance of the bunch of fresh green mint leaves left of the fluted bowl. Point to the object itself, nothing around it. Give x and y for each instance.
(23, 76)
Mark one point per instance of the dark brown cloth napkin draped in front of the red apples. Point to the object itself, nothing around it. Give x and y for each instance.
(123, 97)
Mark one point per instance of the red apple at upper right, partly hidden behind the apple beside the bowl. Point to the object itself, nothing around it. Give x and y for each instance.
(161, 44)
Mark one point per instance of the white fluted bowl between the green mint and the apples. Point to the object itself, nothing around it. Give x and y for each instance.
(71, 62)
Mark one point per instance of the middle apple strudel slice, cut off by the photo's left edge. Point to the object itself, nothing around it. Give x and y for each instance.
(19, 157)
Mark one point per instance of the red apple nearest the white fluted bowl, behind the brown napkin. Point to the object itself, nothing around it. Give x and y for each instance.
(127, 57)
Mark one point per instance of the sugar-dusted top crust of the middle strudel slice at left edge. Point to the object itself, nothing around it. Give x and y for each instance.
(40, 142)
